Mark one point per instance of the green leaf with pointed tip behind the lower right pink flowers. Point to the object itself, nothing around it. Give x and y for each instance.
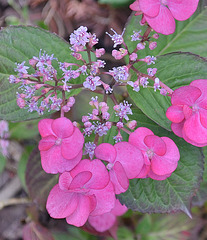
(176, 192)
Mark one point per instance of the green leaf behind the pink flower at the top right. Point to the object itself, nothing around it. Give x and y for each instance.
(189, 36)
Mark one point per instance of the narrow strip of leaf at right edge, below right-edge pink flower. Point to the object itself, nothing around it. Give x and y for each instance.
(201, 195)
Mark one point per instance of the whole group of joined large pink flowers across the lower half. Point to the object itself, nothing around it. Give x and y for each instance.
(86, 189)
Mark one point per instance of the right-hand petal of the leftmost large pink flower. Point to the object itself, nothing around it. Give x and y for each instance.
(71, 146)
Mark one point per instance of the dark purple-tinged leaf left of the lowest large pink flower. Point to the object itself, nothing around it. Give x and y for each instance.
(38, 182)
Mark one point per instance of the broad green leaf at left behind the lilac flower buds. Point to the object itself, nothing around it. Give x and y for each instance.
(18, 44)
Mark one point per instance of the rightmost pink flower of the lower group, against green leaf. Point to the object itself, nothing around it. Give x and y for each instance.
(161, 155)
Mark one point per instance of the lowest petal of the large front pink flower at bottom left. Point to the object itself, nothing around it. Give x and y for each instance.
(86, 205)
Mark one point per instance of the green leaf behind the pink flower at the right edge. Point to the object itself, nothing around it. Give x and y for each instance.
(174, 70)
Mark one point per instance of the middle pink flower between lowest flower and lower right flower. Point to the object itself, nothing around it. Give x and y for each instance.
(125, 162)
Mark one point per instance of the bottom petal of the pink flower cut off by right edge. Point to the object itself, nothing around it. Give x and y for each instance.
(194, 130)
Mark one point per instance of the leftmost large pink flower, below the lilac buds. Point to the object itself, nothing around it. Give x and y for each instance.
(61, 145)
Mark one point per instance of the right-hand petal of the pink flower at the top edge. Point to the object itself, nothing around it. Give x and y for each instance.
(182, 10)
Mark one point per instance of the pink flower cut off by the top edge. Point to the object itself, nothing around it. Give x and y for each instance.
(161, 14)
